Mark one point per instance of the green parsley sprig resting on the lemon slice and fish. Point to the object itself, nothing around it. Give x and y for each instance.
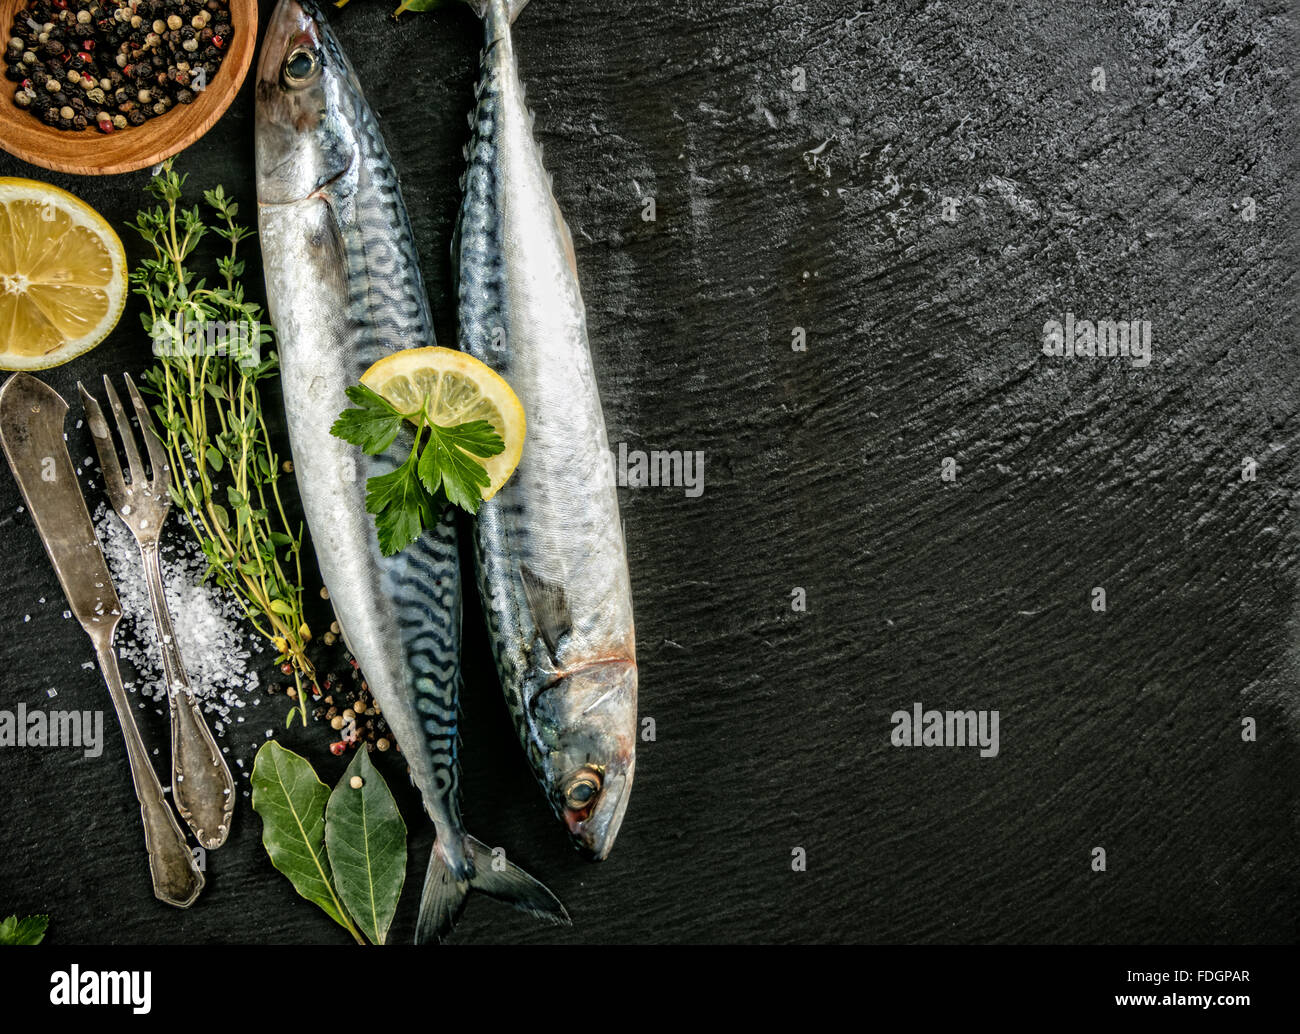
(445, 466)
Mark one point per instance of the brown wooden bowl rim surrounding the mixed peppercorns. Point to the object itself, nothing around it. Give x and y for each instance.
(90, 153)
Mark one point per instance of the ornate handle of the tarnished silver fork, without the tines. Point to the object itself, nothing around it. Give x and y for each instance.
(202, 788)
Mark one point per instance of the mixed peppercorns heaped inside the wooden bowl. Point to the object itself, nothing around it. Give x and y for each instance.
(112, 64)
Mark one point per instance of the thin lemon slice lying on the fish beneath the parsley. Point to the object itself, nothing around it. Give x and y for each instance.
(454, 390)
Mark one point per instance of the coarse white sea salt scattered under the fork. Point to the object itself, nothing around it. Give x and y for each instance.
(216, 646)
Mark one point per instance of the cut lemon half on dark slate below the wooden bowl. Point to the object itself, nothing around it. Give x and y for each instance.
(63, 276)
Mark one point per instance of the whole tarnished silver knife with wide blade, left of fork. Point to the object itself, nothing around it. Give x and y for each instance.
(32, 434)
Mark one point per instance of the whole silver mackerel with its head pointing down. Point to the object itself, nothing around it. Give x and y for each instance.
(552, 561)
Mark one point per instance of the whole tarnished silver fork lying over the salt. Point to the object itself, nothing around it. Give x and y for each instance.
(202, 788)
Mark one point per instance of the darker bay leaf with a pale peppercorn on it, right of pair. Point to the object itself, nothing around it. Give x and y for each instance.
(366, 840)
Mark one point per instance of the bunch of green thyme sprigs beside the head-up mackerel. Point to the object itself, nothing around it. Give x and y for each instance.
(226, 473)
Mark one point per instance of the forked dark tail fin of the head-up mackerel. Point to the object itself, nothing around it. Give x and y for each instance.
(447, 892)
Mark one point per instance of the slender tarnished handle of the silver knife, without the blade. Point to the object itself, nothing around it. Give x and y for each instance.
(177, 880)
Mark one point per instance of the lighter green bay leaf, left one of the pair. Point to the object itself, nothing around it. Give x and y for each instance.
(292, 803)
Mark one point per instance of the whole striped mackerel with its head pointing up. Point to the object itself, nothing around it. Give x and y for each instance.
(344, 289)
